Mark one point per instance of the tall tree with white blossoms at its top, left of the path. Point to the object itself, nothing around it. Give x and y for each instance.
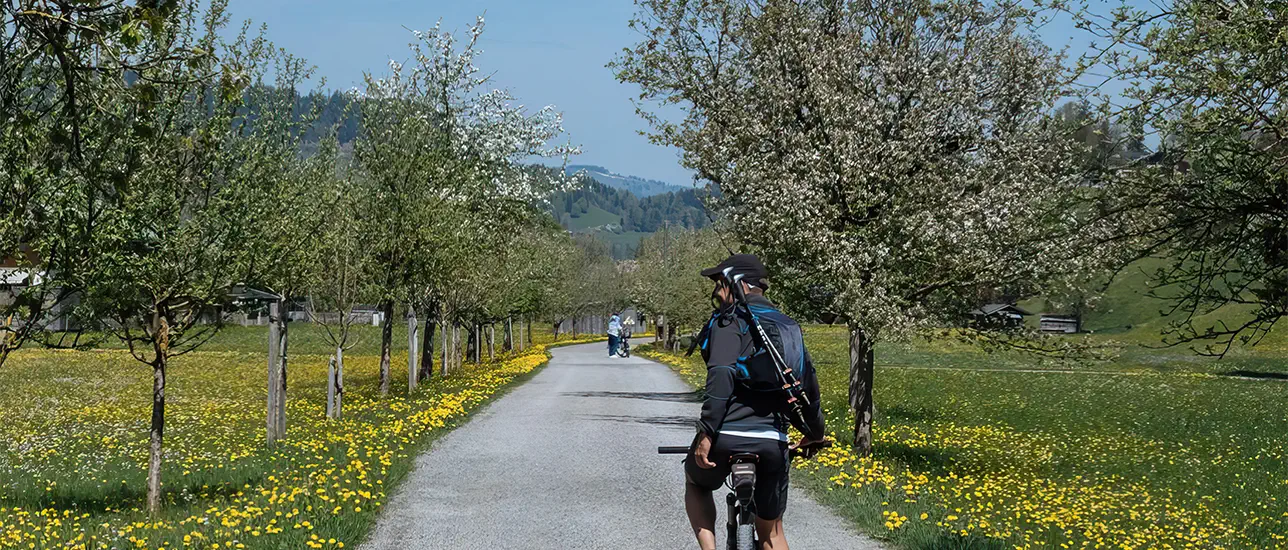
(439, 155)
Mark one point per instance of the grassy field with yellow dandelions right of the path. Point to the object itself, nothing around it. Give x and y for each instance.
(1155, 449)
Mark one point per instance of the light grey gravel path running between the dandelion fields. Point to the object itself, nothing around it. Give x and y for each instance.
(569, 460)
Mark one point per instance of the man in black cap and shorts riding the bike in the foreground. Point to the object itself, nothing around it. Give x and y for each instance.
(736, 421)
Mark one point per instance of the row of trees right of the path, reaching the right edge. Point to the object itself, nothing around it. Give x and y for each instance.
(893, 159)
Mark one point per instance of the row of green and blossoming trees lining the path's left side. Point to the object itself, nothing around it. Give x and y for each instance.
(151, 162)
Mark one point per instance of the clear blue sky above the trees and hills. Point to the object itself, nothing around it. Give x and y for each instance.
(545, 52)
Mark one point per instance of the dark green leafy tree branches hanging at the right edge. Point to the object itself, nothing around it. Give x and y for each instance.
(1207, 82)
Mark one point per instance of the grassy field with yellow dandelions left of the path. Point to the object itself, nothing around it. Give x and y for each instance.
(75, 427)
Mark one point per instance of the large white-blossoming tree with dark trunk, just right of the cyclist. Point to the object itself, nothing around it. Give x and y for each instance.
(895, 155)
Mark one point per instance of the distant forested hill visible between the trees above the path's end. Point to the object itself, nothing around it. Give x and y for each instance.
(621, 218)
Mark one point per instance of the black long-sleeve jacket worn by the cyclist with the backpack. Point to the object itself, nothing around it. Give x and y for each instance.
(731, 409)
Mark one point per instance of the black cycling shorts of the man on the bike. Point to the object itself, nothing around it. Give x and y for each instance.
(771, 495)
